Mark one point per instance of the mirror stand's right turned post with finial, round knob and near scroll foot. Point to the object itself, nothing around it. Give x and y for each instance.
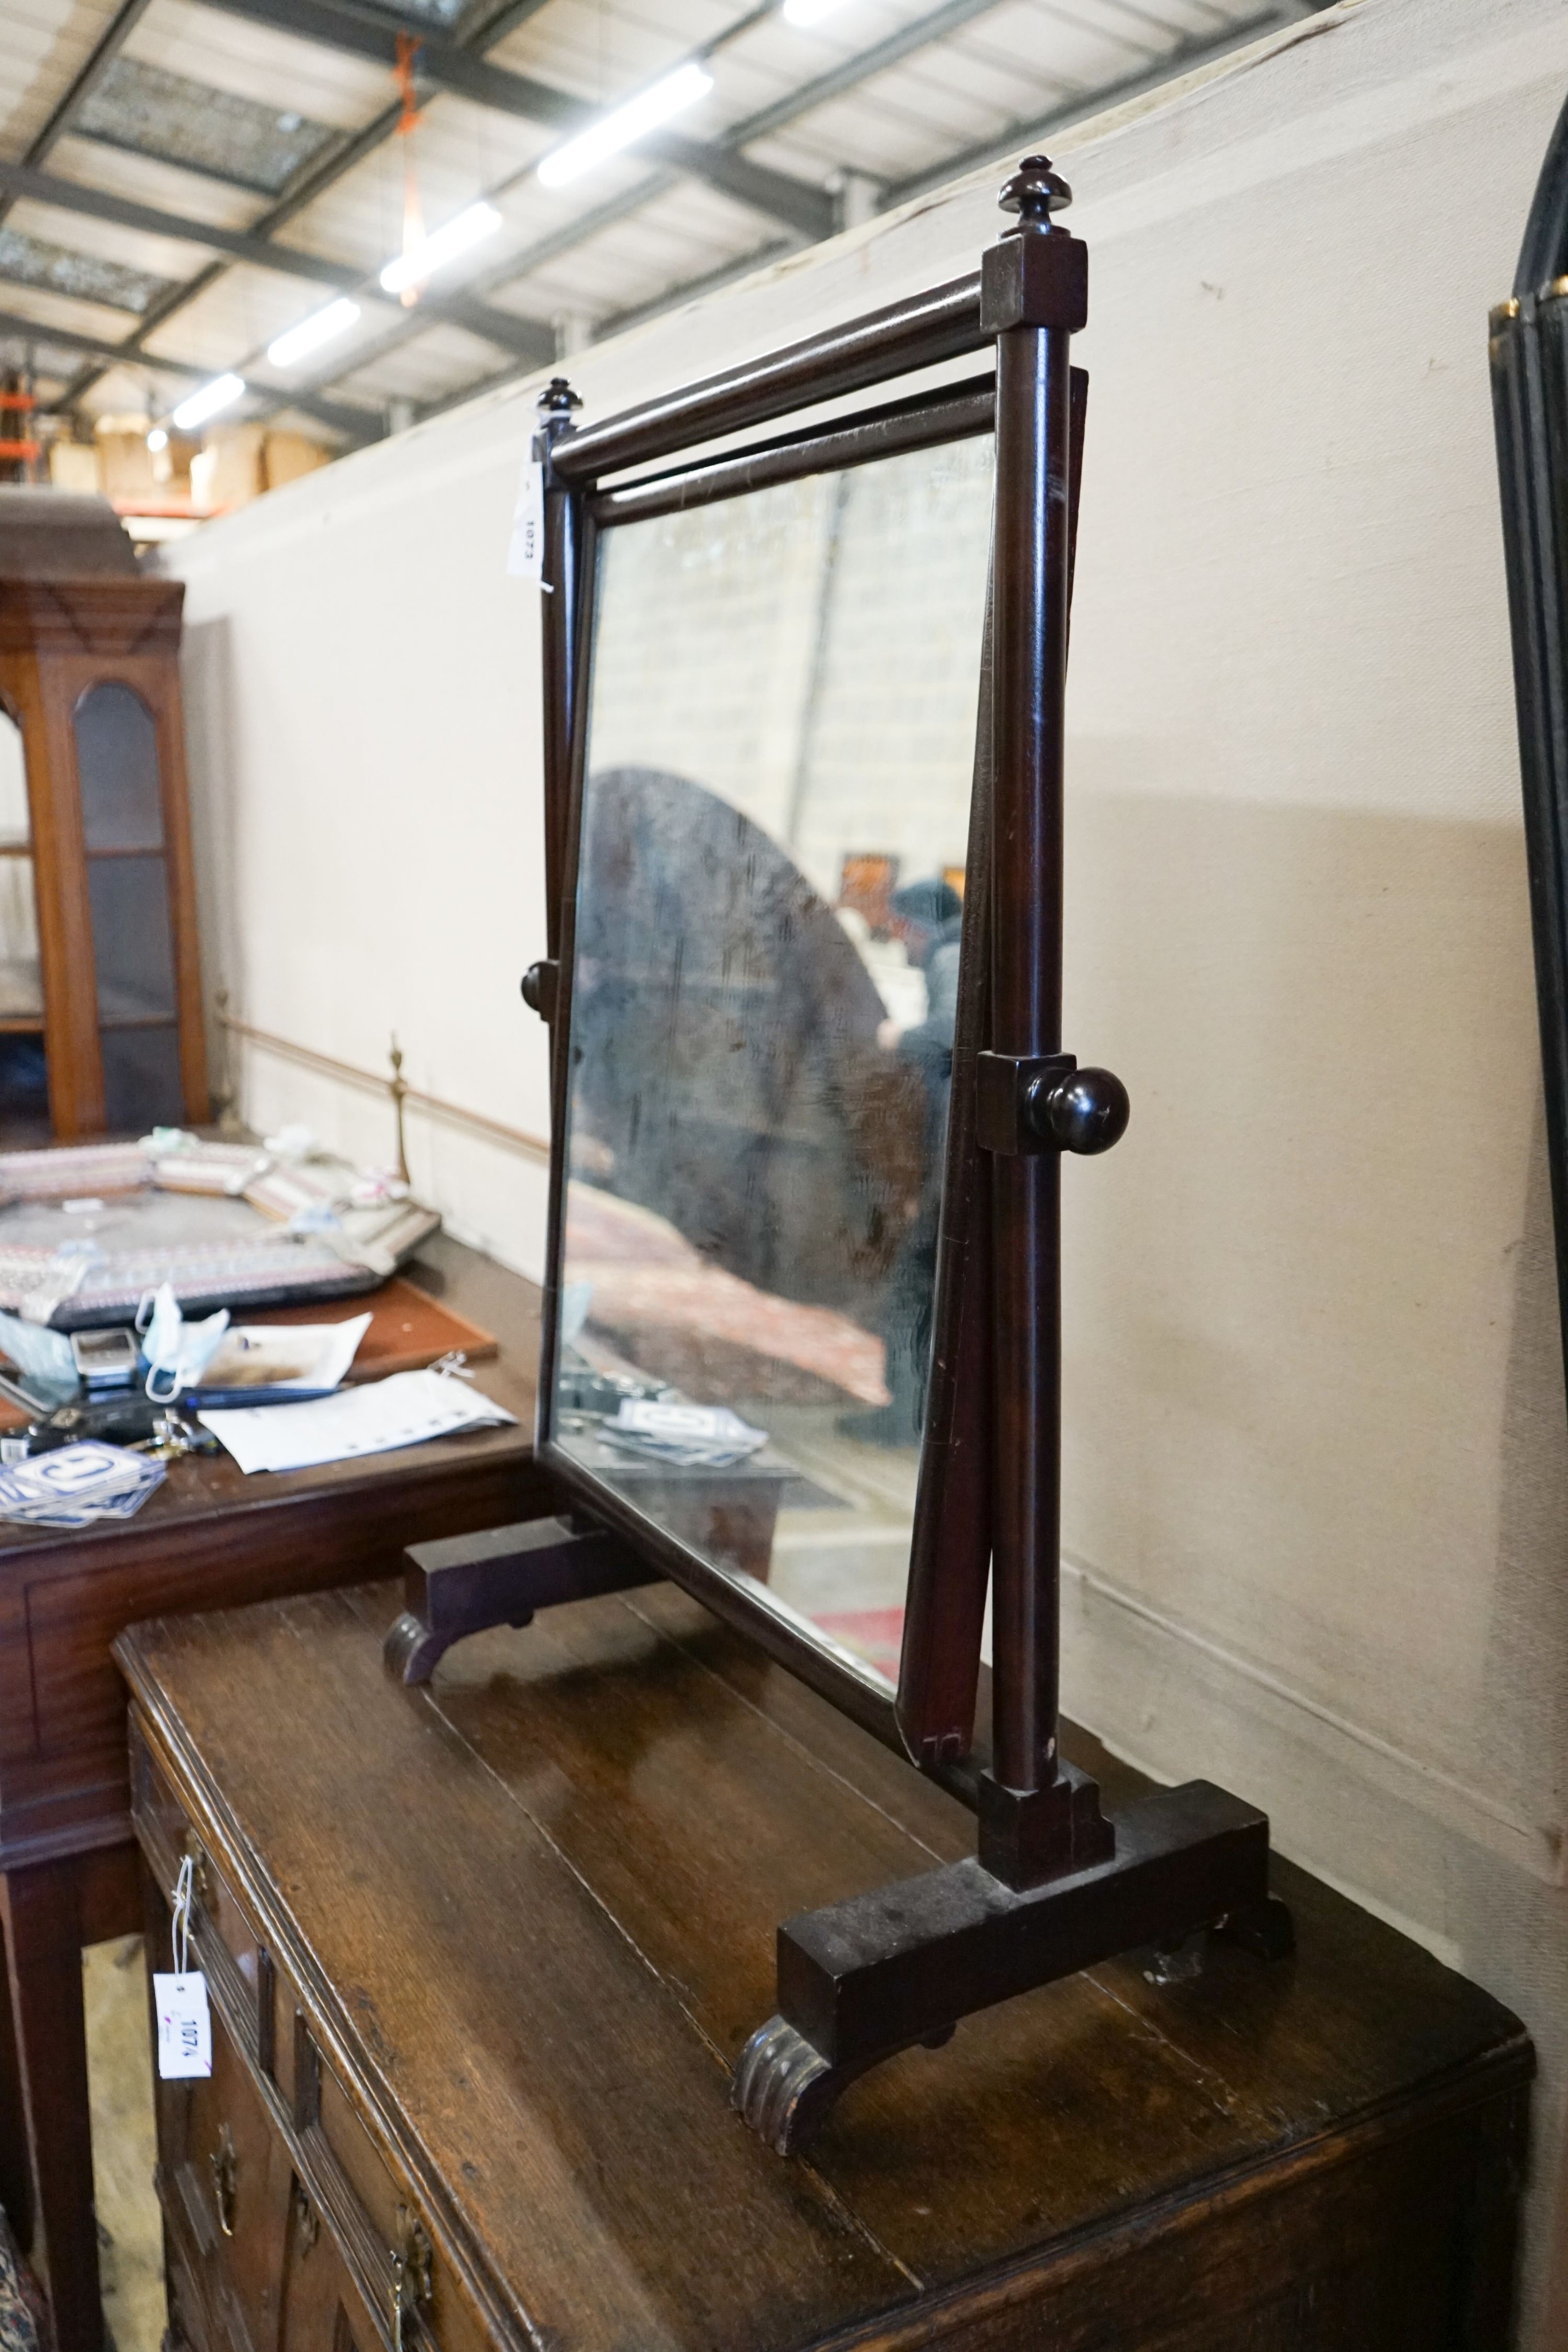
(1057, 1885)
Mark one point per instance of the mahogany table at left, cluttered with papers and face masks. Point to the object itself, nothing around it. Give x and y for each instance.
(208, 1539)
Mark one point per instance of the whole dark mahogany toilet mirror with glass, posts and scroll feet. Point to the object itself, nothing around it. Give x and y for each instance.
(803, 1323)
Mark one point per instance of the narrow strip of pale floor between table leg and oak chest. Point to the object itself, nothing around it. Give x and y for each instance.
(123, 2144)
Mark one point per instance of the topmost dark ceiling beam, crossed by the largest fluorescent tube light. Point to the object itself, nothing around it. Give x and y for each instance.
(448, 65)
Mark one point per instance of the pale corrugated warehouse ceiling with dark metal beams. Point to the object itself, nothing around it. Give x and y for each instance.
(135, 131)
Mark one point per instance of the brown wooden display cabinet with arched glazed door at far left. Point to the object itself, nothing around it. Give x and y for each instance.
(100, 968)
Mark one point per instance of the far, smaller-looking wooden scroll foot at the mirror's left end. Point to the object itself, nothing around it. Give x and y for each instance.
(500, 1577)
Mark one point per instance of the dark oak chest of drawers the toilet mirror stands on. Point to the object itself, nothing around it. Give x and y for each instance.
(483, 1958)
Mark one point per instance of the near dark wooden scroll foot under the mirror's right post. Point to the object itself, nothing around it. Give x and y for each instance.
(883, 1972)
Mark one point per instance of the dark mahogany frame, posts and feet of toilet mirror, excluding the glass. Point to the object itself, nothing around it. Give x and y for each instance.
(1057, 1885)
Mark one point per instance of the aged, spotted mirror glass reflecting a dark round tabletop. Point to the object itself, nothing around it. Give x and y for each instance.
(760, 1034)
